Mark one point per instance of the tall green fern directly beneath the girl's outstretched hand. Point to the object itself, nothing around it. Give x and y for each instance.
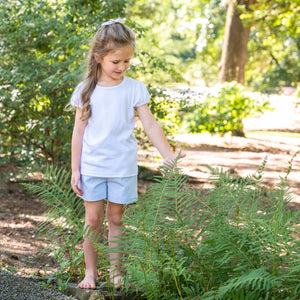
(159, 221)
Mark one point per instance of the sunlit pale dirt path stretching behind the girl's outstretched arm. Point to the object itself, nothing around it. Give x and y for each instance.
(239, 155)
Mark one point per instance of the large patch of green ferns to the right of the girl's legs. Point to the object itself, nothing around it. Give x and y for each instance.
(201, 244)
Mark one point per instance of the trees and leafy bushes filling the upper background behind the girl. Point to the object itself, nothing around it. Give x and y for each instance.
(44, 44)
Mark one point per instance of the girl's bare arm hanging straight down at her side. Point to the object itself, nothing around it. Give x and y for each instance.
(77, 137)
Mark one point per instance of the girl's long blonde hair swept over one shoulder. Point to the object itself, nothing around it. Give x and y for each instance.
(108, 38)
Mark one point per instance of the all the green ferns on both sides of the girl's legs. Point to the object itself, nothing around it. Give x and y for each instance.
(234, 241)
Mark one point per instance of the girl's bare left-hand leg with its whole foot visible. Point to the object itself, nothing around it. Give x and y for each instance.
(94, 217)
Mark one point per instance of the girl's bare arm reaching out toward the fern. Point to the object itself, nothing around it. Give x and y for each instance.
(155, 133)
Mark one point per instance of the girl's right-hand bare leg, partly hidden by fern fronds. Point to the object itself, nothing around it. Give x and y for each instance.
(114, 215)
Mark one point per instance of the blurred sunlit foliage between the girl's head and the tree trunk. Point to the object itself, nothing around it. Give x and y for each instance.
(181, 40)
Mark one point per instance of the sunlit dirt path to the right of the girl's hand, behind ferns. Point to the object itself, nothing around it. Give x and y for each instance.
(244, 158)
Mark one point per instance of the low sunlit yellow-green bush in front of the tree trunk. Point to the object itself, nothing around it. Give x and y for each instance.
(224, 110)
